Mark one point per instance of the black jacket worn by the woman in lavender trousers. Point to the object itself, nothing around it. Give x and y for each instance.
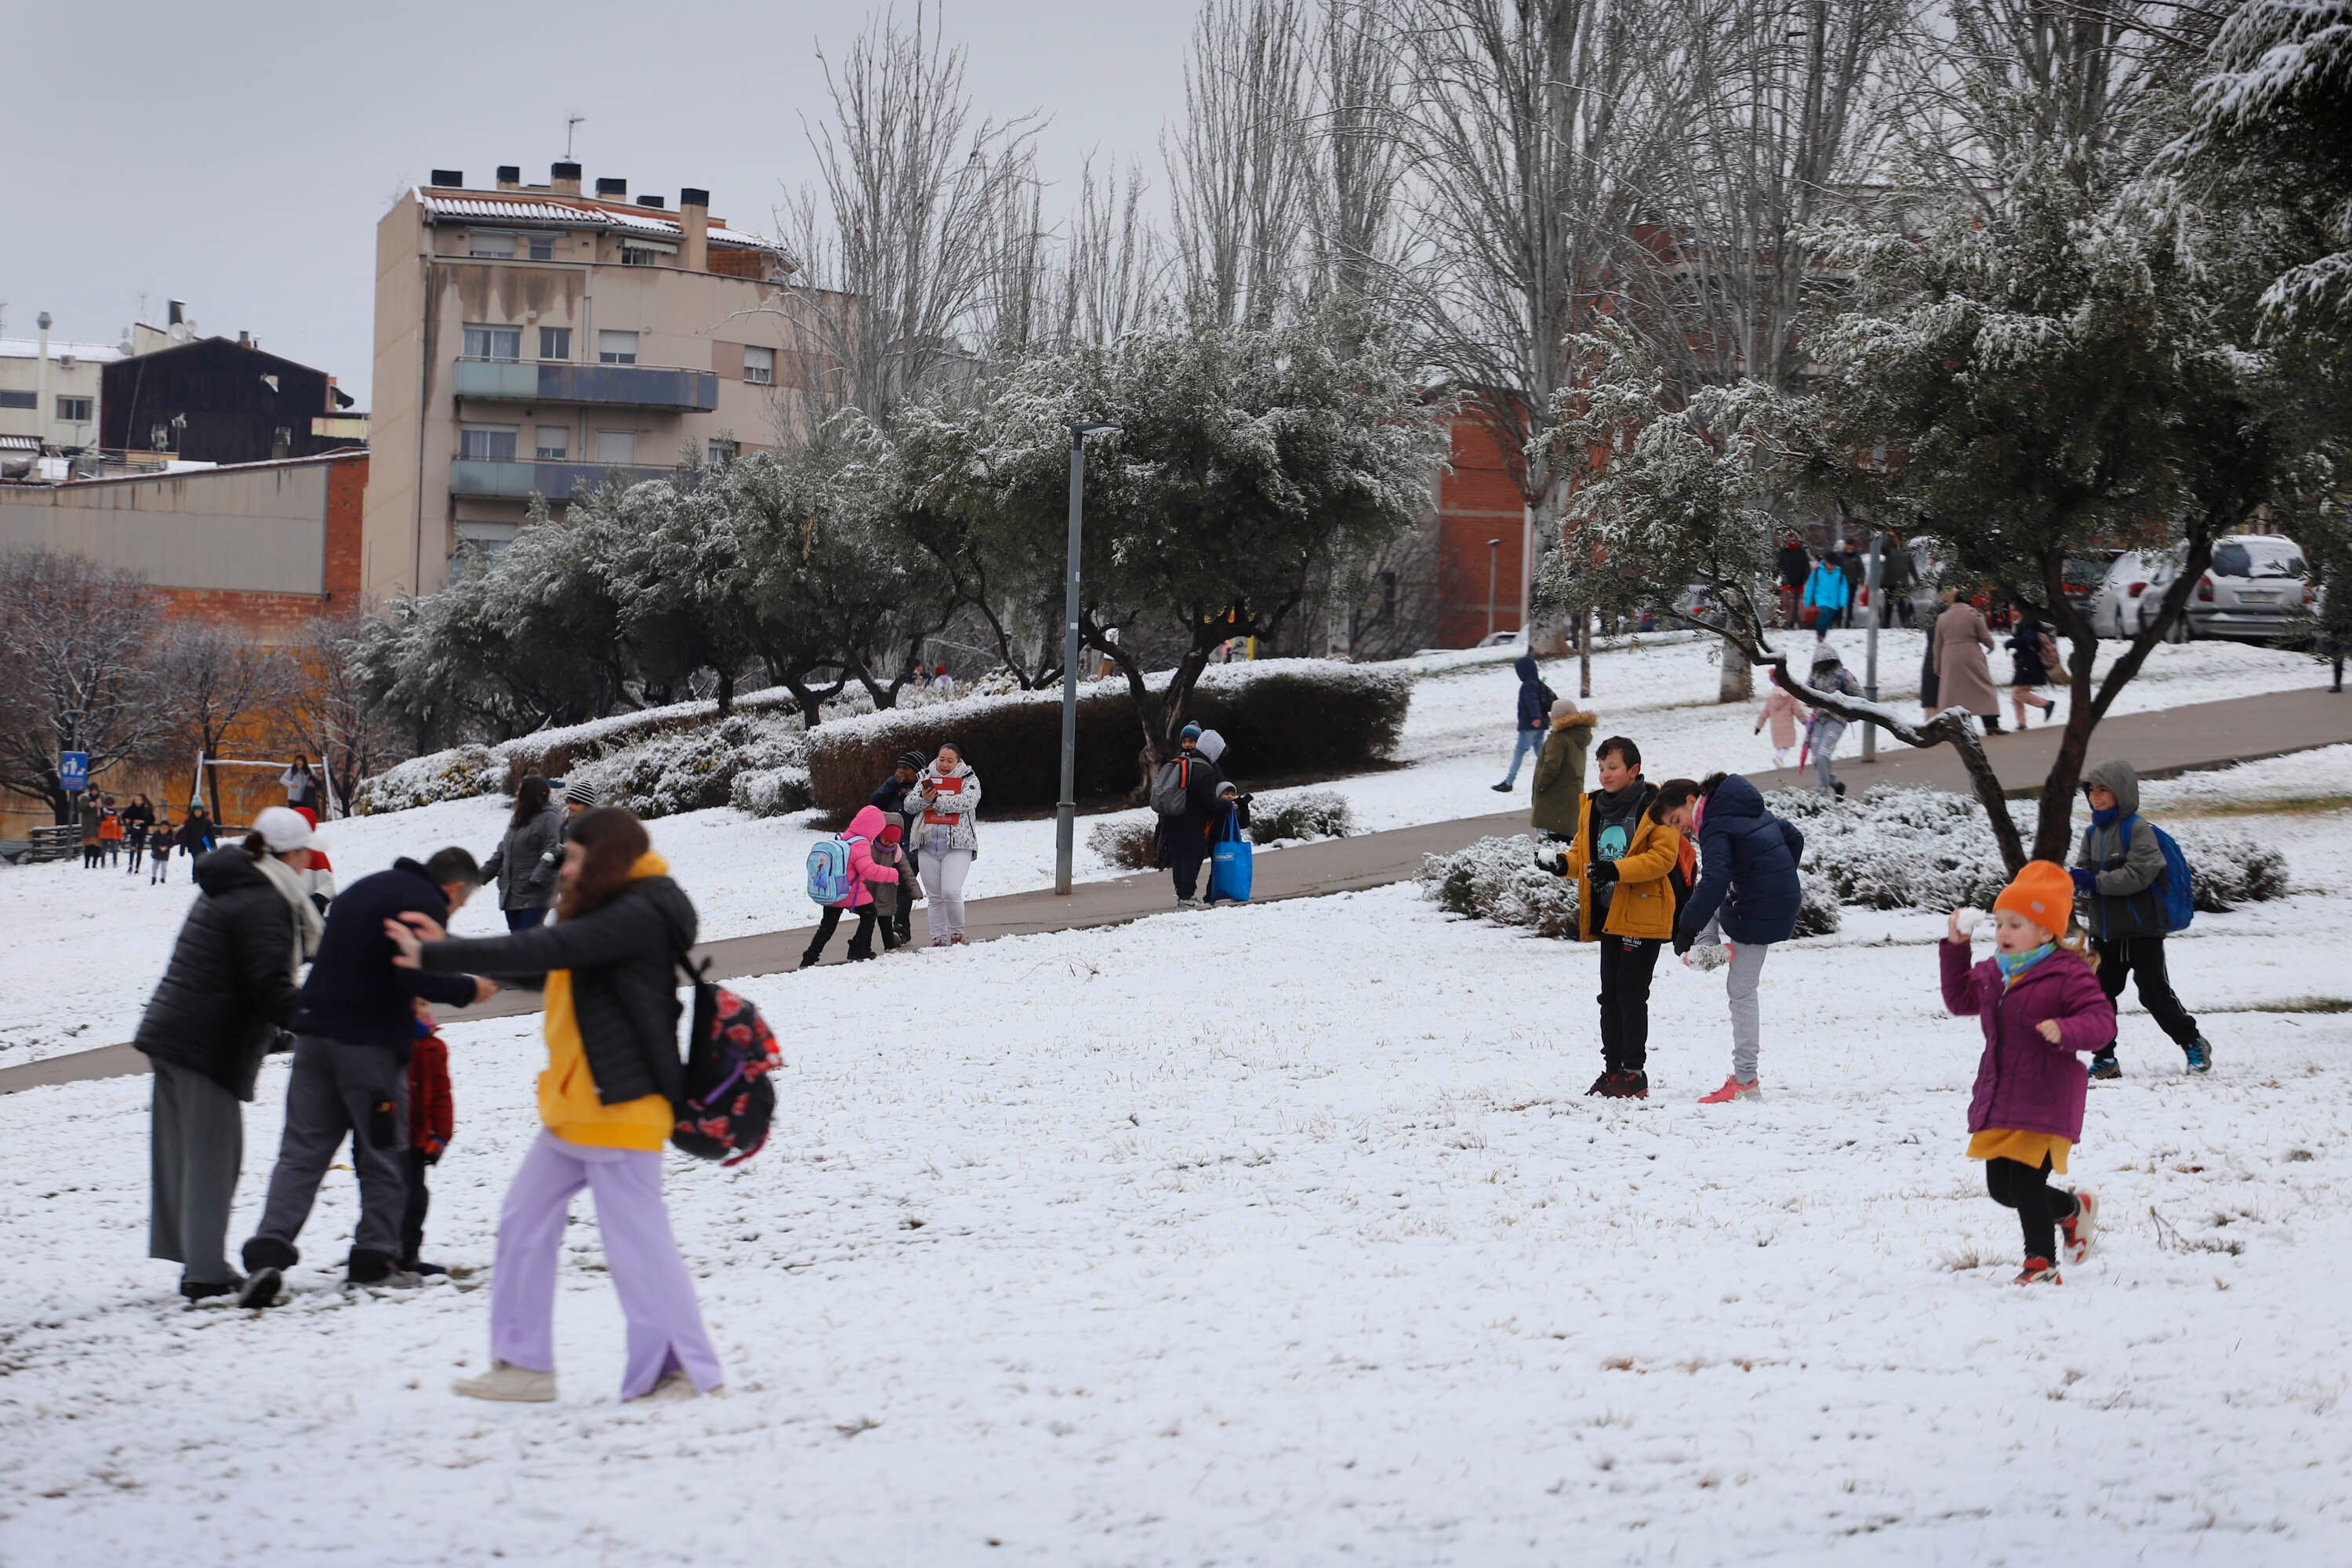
(624, 981)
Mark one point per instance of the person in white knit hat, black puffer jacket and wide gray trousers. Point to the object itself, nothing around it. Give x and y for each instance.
(220, 1007)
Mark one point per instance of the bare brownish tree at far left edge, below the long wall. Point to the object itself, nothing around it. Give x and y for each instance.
(76, 643)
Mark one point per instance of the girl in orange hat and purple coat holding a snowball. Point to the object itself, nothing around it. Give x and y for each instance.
(2040, 1005)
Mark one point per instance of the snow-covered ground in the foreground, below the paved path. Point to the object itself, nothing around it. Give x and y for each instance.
(1285, 1235)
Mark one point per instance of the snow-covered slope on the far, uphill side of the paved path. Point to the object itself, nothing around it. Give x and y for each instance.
(86, 949)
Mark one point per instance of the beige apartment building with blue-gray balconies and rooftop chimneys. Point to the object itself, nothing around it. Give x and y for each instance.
(535, 340)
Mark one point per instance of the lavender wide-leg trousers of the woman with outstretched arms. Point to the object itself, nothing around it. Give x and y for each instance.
(657, 1294)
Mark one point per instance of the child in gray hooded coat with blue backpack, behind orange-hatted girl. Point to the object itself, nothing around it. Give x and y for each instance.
(2120, 873)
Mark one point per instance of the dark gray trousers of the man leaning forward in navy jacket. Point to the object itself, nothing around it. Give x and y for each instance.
(338, 1092)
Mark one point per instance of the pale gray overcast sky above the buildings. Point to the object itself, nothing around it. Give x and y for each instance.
(239, 154)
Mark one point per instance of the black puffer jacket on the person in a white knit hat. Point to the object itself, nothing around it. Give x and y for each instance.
(232, 979)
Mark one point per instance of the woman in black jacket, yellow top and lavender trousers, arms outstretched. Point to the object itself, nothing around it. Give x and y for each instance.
(608, 1104)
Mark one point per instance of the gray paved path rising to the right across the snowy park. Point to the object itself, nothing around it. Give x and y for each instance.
(2160, 744)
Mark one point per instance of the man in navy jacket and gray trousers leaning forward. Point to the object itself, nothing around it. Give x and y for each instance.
(352, 1059)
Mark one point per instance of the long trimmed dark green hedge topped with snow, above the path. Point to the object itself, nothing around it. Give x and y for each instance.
(1278, 716)
